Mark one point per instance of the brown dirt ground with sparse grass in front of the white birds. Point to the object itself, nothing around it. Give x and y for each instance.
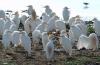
(18, 57)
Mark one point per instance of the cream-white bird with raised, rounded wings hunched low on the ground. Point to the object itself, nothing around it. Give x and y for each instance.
(90, 42)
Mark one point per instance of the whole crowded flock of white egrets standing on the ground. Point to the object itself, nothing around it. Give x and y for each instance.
(46, 30)
